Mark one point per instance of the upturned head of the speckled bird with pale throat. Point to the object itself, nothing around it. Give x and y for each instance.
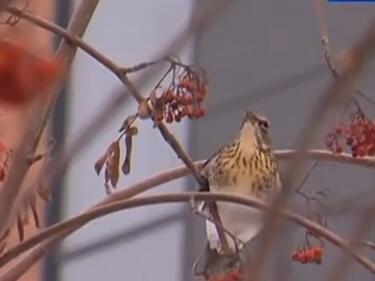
(255, 129)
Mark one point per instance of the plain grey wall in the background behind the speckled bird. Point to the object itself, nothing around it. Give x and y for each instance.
(266, 56)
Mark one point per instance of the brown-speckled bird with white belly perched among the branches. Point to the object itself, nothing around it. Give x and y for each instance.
(247, 167)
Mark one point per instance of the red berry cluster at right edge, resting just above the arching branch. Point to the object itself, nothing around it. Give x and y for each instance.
(358, 136)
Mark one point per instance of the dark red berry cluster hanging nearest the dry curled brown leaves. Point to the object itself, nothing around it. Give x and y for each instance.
(183, 98)
